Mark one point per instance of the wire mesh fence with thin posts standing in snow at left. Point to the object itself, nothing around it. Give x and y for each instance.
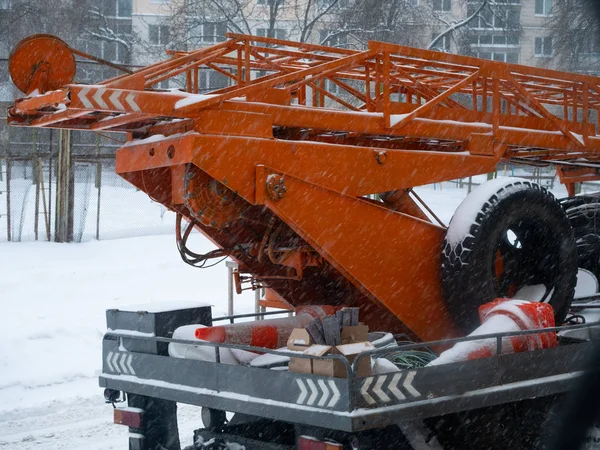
(100, 204)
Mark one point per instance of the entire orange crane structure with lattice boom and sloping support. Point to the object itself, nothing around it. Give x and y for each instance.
(286, 155)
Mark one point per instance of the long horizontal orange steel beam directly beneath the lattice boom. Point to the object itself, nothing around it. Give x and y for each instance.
(325, 165)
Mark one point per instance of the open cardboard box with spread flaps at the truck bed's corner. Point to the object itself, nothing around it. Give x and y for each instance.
(333, 368)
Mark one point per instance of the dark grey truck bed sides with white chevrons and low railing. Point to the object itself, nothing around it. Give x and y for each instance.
(347, 404)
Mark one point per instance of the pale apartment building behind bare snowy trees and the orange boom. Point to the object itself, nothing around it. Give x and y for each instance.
(515, 31)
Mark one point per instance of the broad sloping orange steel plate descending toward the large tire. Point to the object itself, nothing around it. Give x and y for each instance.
(364, 232)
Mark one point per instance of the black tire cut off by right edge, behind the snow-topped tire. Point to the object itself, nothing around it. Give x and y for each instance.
(584, 215)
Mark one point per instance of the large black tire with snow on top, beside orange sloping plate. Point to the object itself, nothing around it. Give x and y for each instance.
(508, 238)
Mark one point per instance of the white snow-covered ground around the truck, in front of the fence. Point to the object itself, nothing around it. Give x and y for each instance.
(53, 299)
